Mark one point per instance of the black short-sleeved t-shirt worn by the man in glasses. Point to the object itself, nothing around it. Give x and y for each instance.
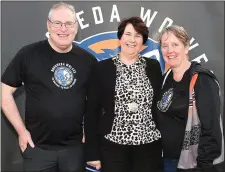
(56, 88)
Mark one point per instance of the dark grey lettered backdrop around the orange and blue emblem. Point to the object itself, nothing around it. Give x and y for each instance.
(25, 22)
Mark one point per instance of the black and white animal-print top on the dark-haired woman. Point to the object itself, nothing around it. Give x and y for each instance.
(133, 124)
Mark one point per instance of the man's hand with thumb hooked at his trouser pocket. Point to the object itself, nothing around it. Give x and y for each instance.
(24, 139)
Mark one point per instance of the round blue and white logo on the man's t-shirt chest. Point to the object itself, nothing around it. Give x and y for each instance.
(63, 75)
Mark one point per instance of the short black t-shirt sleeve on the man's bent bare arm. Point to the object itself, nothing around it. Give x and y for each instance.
(14, 73)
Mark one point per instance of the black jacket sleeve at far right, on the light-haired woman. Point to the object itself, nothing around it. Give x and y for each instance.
(208, 106)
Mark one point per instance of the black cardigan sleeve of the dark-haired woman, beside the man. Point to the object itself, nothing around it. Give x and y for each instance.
(92, 152)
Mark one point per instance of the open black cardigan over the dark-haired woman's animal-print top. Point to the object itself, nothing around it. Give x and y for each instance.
(99, 115)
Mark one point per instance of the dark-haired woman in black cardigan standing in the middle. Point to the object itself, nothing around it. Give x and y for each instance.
(120, 128)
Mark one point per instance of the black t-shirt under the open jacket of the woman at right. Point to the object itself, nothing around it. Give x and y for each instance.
(172, 111)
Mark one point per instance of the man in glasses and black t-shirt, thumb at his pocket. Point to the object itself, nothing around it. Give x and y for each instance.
(55, 75)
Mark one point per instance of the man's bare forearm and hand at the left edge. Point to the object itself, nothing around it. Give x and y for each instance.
(11, 112)
